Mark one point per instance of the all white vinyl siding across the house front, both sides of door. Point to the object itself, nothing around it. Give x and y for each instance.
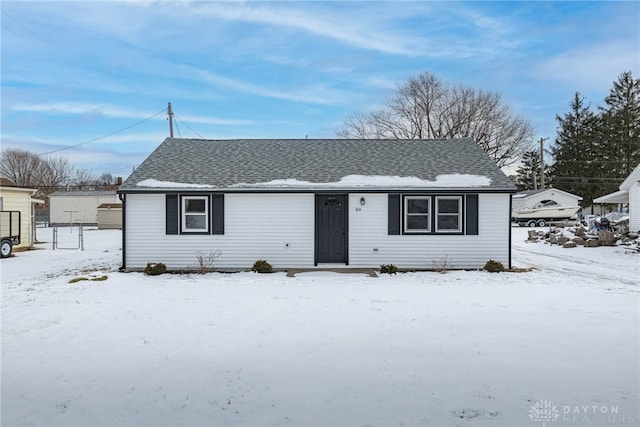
(281, 229)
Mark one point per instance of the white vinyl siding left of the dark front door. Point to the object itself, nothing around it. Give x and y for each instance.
(276, 227)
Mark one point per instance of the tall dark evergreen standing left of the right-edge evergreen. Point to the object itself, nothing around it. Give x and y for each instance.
(578, 166)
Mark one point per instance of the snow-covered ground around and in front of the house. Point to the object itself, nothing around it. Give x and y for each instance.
(465, 348)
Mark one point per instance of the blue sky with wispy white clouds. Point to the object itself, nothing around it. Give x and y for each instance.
(75, 71)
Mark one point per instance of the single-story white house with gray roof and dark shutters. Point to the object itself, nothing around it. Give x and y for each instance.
(418, 204)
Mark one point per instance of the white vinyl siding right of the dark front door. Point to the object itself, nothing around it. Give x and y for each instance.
(371, 246)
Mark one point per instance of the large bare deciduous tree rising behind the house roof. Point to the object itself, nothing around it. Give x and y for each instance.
(425, 107)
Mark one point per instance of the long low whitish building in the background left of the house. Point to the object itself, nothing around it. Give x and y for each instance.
(78, 207)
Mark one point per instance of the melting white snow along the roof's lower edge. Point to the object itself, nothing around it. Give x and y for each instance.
(442, 181)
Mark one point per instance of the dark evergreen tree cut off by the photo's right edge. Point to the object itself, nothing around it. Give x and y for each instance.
(620, 128)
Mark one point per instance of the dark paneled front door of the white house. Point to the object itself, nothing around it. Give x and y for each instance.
(331, 229)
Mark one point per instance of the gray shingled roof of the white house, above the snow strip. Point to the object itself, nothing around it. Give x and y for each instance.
(225, 163)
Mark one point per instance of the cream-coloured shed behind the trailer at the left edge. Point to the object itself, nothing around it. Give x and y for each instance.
(20, 199)
